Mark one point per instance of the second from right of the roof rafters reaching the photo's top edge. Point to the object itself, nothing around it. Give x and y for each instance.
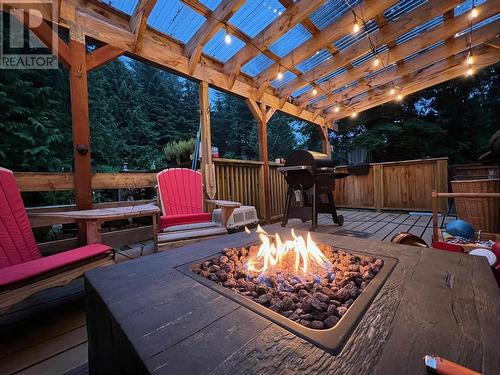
(341, 27)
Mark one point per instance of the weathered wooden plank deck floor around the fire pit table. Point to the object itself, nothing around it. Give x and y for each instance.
(46, 334)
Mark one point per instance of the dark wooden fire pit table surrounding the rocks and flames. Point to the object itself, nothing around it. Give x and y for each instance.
(151, 315)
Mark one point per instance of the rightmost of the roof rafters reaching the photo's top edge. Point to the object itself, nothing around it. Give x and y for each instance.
(386, 34)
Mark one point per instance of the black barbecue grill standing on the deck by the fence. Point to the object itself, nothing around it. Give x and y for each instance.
(310, 177)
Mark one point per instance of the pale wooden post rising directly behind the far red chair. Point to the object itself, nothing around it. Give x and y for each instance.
(207, 166)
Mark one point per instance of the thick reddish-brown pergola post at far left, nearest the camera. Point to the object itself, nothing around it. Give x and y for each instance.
(80, 123)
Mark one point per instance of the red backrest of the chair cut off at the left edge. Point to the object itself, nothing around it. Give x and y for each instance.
(17, 243)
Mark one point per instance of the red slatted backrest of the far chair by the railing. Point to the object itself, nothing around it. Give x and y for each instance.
(181, 191)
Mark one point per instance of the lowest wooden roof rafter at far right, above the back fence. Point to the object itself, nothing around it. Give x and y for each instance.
(424, 78)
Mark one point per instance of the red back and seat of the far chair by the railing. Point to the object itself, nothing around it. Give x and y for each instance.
(180, 192)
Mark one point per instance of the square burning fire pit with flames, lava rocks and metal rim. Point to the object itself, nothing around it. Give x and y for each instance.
(315, 291)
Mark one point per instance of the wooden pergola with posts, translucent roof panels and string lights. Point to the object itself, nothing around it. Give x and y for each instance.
(374, 68)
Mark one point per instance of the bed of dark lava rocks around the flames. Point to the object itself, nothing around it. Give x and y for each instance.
(316, 300)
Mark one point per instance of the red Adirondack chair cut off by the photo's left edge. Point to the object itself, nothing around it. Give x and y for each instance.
(23, 270)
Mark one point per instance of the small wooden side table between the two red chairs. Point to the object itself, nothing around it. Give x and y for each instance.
(94, 217)
